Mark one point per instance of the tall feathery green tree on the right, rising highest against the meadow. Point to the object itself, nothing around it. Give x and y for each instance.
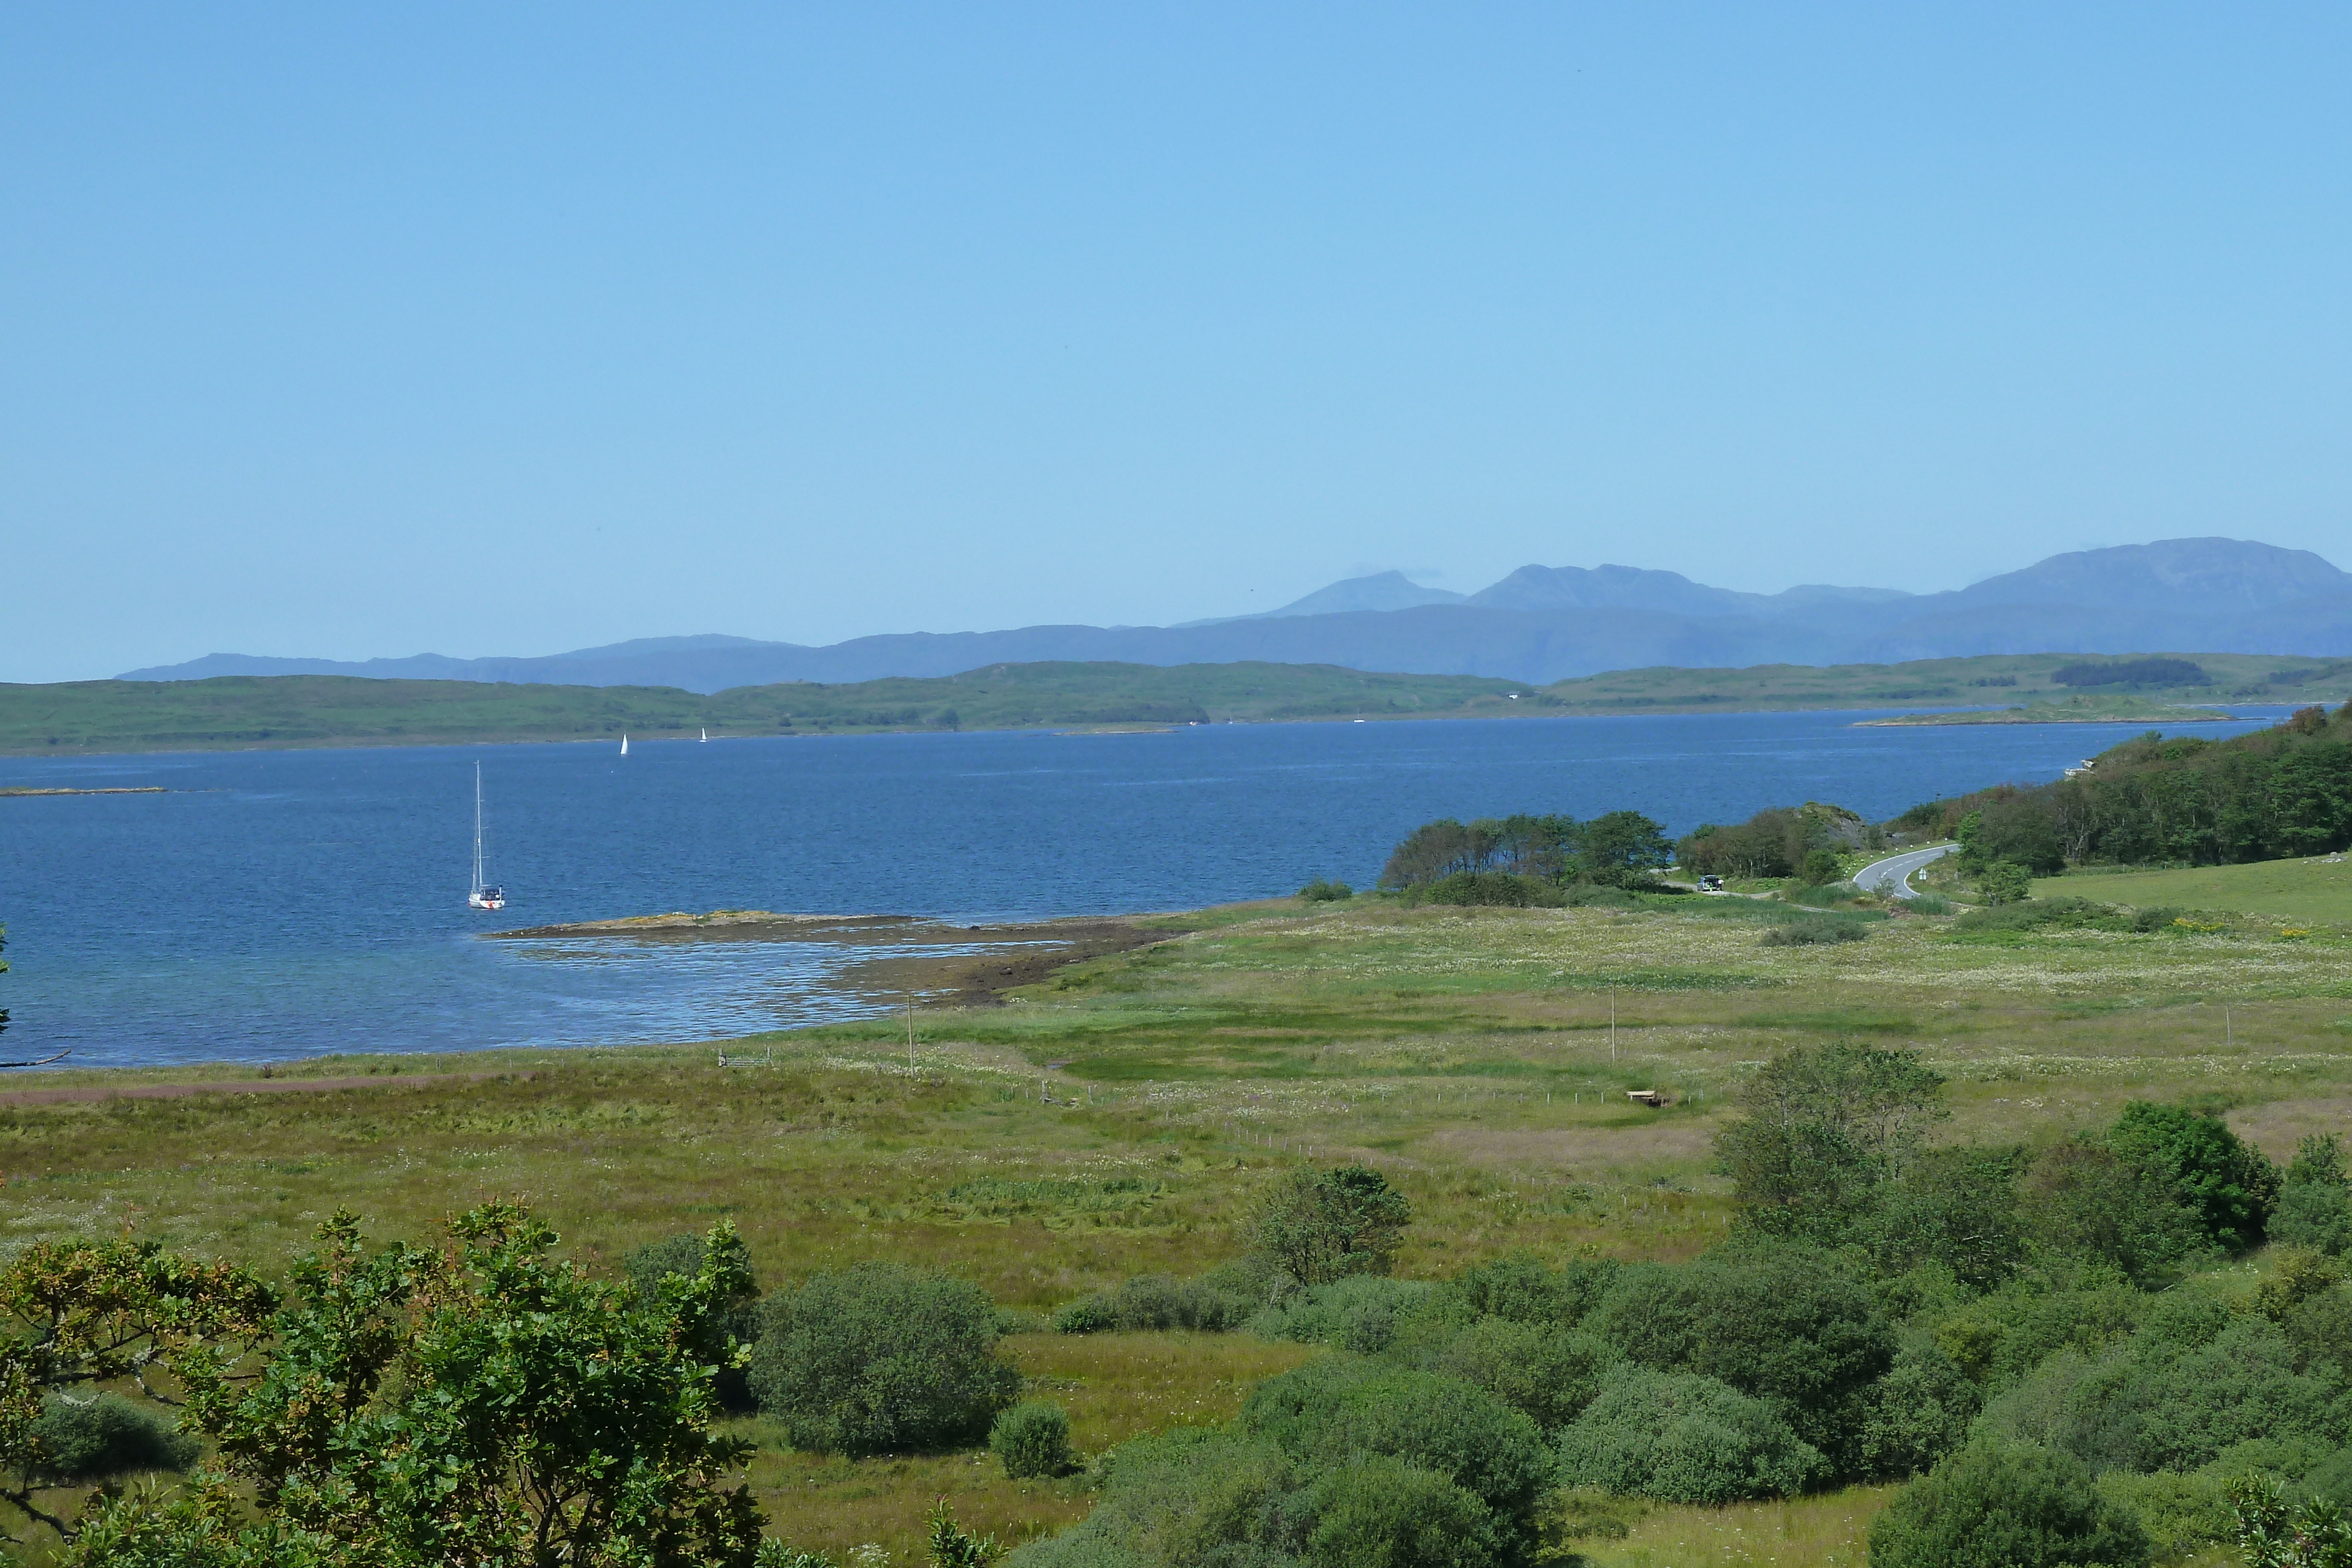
(1822, 1130)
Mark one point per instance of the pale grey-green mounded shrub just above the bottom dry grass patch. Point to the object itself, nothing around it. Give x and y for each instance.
(1681, 1438)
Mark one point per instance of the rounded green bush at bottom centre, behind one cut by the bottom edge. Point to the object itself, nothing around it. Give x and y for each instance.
(1339, 1409)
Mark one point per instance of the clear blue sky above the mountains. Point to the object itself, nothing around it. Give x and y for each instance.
(516, 328)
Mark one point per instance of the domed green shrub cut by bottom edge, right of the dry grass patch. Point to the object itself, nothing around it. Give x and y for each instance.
(2005, 1508)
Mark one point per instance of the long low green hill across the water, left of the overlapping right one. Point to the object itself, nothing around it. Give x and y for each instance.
(281, 711)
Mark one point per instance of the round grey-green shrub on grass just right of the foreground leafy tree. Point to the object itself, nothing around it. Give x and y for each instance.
(881, 1360)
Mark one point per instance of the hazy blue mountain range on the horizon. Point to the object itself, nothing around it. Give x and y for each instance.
(1542, 624)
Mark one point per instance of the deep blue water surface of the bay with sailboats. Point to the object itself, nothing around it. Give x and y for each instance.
(295, 904)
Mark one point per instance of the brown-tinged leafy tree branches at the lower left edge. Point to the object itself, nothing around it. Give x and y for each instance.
(76, 1315)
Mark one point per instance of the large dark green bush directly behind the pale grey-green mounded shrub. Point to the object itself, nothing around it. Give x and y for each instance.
(1782, 1325)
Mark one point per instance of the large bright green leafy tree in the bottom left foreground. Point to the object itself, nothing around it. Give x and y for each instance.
(488, 1405)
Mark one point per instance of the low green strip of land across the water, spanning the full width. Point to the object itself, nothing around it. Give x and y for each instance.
(305, 711)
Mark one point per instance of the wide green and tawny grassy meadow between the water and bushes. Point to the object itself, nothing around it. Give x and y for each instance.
(1123, 1115)
